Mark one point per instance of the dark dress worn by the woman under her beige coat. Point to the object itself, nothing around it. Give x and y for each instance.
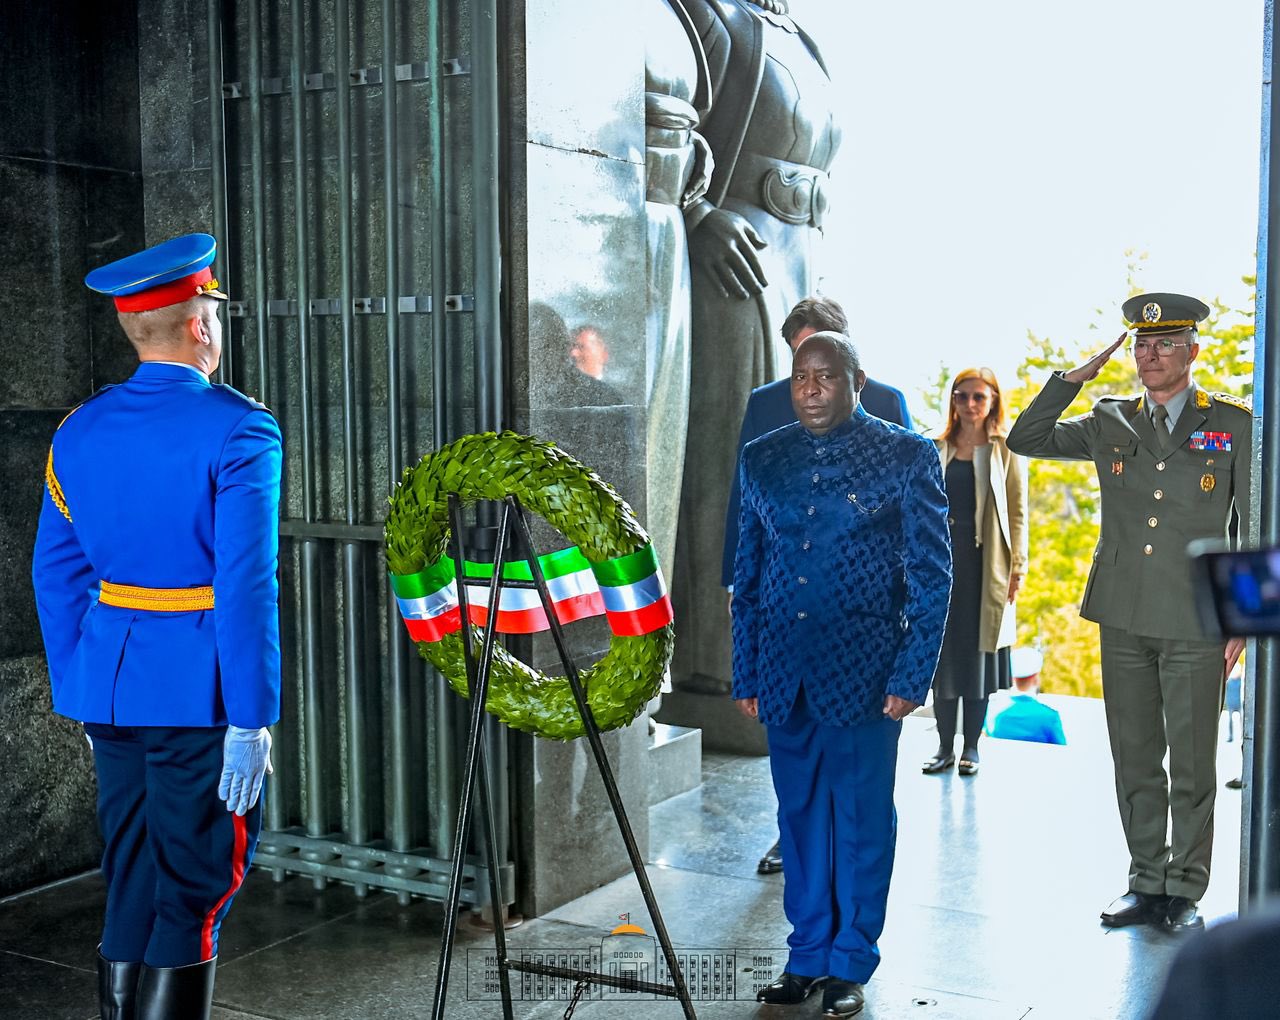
(963, 670)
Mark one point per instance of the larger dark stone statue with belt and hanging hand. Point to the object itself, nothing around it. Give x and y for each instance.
(752, 244)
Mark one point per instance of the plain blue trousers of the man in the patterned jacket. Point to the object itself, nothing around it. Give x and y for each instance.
(839, 829)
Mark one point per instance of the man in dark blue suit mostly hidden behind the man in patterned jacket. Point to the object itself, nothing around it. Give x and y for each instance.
(770, 408)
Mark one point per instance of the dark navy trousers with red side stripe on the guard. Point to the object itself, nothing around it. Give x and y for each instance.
(175, 856)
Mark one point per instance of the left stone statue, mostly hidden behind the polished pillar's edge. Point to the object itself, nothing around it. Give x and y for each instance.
(678, 166)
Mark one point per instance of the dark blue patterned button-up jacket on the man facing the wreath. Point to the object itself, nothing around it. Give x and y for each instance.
(844, 570)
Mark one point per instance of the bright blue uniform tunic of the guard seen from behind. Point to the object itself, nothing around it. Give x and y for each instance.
(163, 482)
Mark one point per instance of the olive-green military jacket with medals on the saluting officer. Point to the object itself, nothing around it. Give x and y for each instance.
(1156, 497)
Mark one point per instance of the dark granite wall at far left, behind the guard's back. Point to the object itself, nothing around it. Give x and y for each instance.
(71, 199)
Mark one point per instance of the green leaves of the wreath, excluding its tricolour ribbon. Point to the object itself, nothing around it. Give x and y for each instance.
(589, 513)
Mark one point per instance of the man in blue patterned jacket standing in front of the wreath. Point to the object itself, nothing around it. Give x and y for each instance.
(840, 600)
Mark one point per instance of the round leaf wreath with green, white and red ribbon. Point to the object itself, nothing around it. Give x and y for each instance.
(611, 570)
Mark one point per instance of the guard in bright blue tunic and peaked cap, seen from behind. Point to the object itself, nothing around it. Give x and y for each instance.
(156, 578)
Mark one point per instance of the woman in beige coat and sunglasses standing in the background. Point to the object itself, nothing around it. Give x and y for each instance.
(988, 493)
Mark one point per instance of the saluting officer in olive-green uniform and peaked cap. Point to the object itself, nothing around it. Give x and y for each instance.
(1173, 464)
